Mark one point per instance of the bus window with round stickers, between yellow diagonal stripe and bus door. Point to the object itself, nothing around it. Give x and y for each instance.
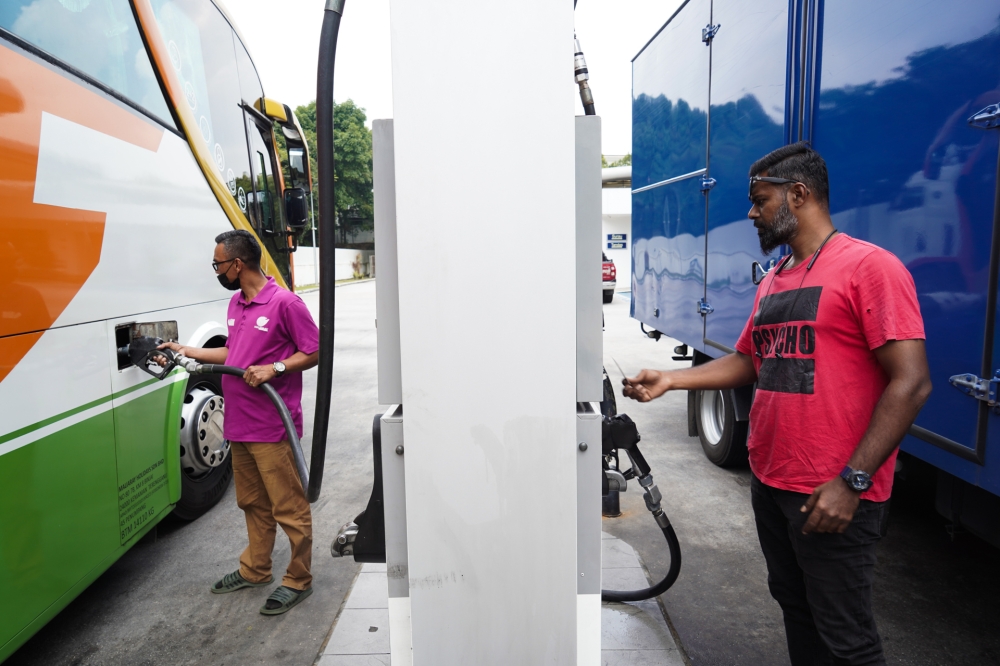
(200, 42)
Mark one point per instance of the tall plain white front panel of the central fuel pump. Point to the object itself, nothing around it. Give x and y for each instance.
(491, 536)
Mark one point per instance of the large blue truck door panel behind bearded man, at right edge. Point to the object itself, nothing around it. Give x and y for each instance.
(898, 83)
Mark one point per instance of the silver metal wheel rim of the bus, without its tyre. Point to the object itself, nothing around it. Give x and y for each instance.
(203, 447)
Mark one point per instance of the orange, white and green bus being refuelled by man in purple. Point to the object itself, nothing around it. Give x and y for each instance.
(132, 132)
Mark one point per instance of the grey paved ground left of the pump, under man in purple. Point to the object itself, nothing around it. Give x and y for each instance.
(153, 605)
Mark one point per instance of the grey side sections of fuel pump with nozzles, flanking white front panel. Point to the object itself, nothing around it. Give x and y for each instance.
(379, 533)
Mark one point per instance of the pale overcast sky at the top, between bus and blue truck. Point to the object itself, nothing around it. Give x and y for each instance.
(283, 39)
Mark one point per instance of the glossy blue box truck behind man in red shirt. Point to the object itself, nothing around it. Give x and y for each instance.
(902, 98)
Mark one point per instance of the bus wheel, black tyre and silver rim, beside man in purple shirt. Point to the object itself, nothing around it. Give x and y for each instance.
(206, 468)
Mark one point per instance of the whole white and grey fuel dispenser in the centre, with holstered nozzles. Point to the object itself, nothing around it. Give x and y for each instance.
(488, 479)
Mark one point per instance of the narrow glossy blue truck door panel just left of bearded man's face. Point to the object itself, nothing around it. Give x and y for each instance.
(748, 120)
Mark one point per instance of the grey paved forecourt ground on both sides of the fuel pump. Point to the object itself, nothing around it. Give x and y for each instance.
(937, 601)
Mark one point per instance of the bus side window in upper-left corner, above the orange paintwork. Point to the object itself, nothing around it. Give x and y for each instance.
(99, 39)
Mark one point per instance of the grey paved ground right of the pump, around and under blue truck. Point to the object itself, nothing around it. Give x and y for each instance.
(936, 600)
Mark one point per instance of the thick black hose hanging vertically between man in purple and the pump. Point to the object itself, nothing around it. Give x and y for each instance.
(326, 226)
